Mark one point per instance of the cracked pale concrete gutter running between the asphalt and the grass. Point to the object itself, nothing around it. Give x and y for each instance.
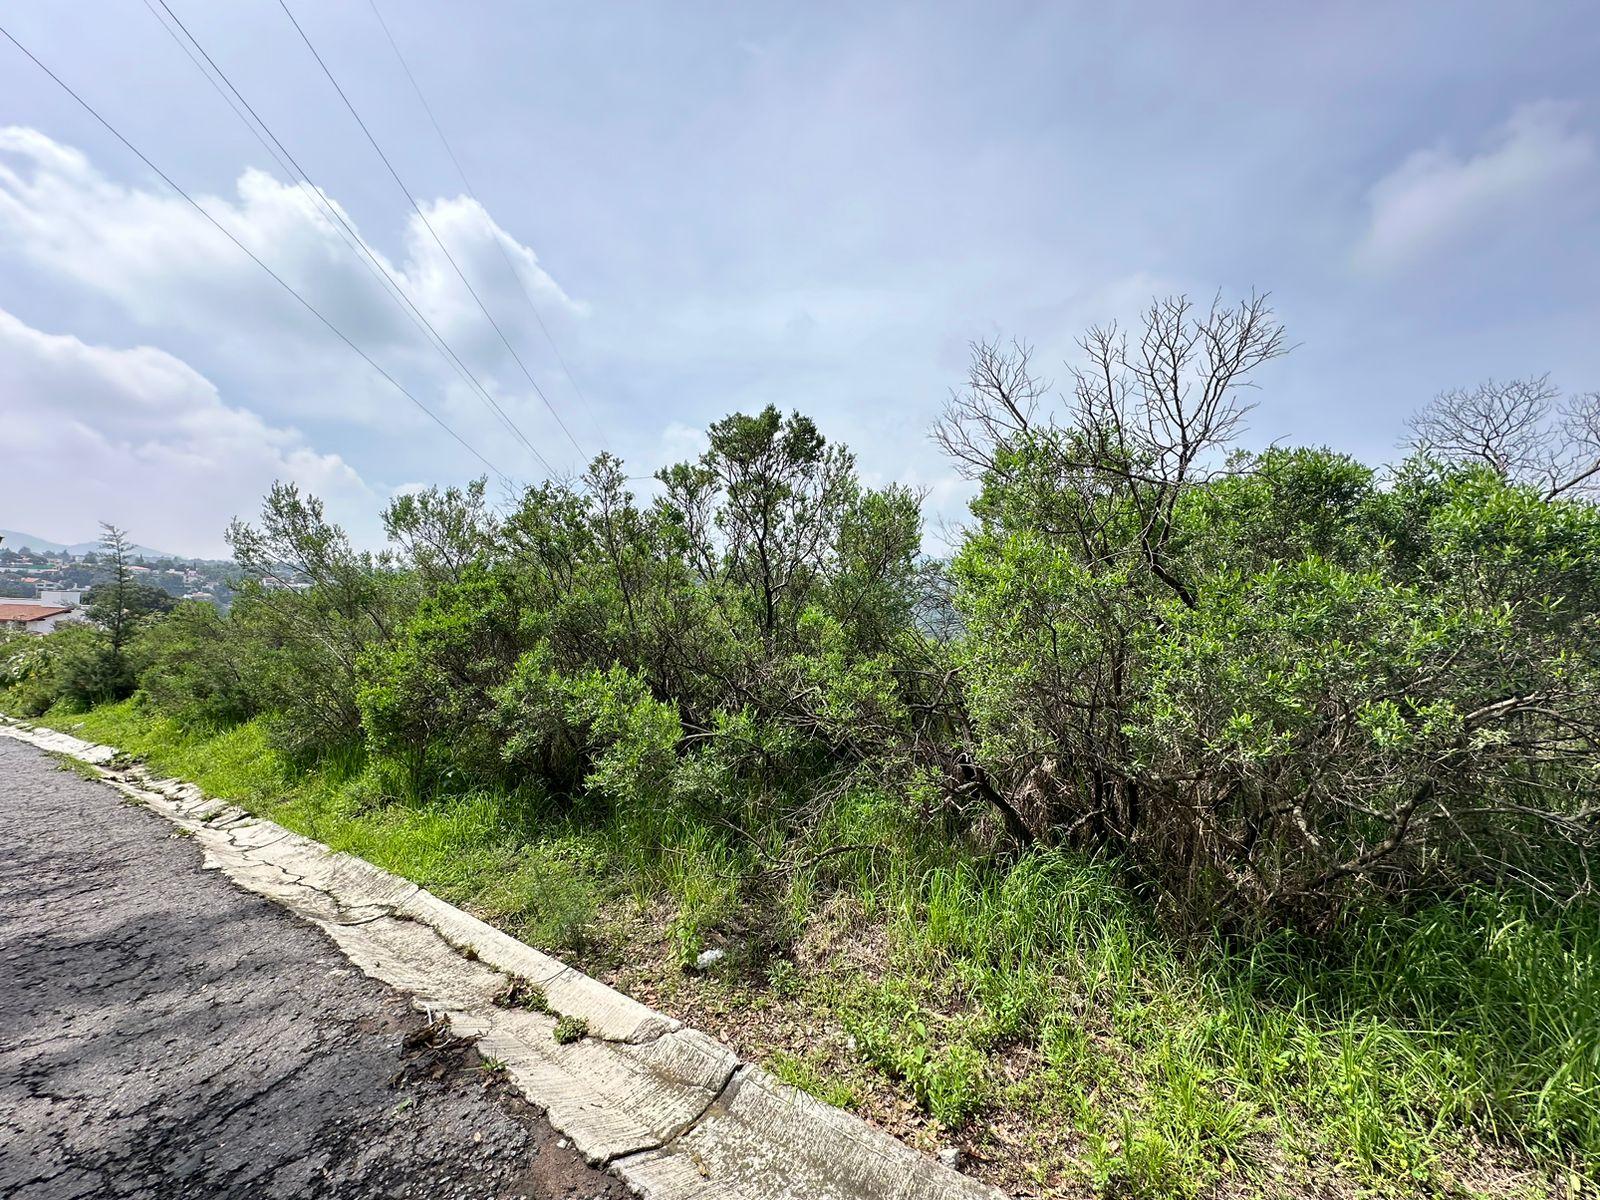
(666, 1108)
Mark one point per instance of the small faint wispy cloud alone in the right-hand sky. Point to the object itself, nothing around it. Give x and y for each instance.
(1438, 199)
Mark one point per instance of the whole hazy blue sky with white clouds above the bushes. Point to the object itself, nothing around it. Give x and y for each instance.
(678, 212)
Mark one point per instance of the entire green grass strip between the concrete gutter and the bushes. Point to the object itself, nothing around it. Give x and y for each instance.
(1031, 1014)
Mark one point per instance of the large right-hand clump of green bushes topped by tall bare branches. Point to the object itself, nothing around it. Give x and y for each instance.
(1268, 682)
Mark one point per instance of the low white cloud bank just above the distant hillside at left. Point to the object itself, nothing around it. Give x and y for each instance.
(143, 439)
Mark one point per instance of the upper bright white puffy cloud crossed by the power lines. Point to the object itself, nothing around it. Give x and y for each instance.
(167, 268)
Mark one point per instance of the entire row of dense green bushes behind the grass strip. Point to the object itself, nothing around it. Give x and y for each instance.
(1273, 686)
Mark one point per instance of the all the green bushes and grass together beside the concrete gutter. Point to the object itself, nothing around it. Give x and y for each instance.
(1209, 825)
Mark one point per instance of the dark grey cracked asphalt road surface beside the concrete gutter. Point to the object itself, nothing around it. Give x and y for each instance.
(166, 1034)
